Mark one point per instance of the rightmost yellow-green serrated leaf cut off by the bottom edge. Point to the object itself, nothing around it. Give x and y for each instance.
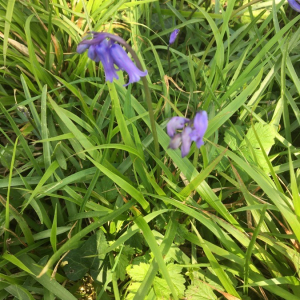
(199, 291)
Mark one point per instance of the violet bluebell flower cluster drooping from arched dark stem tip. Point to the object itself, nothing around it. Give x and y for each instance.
(104, 48)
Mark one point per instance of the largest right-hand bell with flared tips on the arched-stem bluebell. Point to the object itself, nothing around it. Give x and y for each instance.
(121, 59)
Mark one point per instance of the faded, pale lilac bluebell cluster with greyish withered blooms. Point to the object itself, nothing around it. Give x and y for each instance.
(193, 131)
